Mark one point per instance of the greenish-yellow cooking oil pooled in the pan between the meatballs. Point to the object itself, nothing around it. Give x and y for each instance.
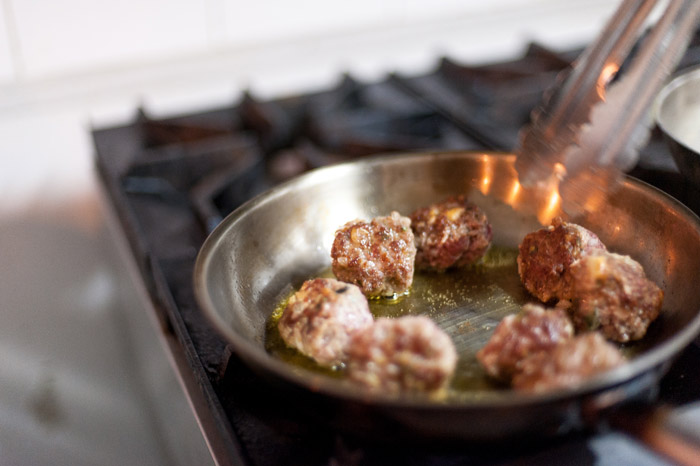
(466, 303)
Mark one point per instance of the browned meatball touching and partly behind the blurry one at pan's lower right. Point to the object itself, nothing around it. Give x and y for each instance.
(516, 337)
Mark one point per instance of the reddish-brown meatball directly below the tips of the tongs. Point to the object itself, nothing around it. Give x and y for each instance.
(546, 255)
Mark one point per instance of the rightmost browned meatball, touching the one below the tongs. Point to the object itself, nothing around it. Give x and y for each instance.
(612, 294)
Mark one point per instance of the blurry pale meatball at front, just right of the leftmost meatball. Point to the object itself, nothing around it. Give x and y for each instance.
(407, 354)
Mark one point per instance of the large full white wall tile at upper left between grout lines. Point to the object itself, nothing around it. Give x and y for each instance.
(67, 36)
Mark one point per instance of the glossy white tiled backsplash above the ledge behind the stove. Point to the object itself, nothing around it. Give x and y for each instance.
(47, 39)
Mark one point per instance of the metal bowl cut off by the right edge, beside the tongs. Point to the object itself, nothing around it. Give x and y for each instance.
(678, 117)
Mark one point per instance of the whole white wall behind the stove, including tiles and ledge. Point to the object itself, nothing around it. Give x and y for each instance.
(69, 64)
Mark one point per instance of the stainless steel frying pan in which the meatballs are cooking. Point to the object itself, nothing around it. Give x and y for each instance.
(265, 249)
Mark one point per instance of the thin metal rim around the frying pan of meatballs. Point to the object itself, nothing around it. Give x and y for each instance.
(258, 358)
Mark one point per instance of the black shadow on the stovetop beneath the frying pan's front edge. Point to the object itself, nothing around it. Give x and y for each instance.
(264, 414)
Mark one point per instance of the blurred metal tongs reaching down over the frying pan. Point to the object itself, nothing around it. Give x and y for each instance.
(591, 125)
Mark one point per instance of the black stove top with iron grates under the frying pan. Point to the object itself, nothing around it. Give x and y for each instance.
(171, 181)
